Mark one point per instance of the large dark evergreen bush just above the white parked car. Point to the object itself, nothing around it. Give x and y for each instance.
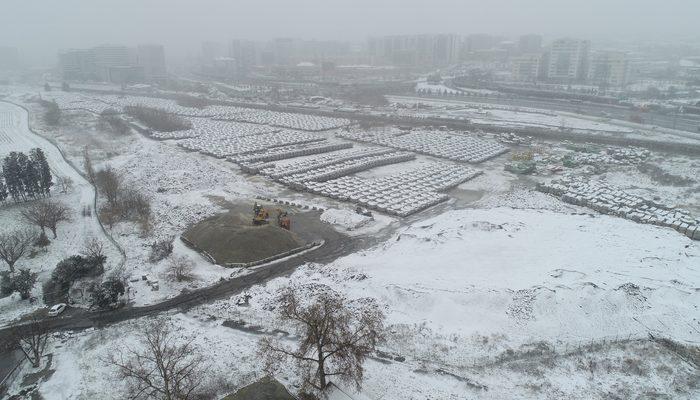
(68, 271)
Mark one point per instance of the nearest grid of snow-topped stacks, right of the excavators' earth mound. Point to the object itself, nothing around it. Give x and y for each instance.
(401, 194)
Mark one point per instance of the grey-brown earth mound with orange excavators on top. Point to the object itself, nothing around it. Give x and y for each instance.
(232, 238)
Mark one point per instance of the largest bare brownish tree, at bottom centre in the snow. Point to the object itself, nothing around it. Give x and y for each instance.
(336, 336)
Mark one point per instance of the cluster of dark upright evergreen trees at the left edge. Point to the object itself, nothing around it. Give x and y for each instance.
(25, 177)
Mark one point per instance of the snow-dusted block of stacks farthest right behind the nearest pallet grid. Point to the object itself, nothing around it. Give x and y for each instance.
(451, 146)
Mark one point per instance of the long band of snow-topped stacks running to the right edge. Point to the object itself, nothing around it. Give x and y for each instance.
(608, 200)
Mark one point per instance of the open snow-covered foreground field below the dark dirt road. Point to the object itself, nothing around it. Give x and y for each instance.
(470, 296)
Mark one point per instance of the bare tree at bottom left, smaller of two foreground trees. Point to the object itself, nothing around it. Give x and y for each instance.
(161, 368)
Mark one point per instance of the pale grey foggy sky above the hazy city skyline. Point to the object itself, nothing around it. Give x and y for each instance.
(40, 27)
